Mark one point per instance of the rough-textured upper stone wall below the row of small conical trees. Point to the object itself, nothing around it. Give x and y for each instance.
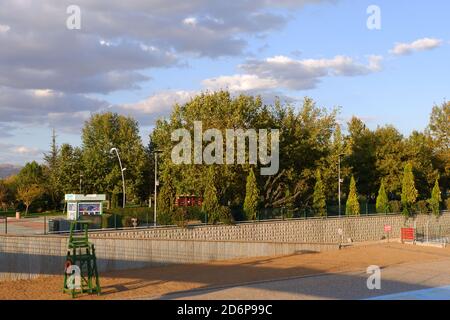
(359, 229)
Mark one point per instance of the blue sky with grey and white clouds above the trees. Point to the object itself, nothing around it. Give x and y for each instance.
(386, 62)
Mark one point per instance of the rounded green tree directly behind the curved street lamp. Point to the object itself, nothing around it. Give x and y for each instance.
(101, 169)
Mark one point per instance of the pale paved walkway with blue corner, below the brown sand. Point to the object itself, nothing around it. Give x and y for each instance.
(401, 282)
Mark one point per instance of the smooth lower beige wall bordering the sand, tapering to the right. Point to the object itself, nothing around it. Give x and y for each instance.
(26, 257)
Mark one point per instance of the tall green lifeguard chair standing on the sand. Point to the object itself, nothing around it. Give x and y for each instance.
(80, 274)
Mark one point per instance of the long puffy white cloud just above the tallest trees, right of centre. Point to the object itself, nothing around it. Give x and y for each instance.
(283, 72)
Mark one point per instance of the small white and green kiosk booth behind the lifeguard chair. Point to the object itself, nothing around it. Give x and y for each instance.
(80, 206)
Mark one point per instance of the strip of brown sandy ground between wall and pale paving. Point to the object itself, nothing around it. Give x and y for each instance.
(159, 281)
